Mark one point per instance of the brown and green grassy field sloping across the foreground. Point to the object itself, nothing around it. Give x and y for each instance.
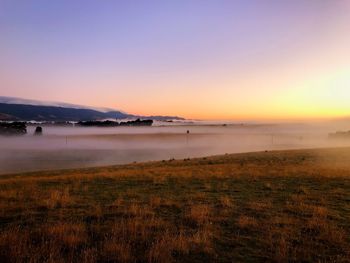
(282, 206)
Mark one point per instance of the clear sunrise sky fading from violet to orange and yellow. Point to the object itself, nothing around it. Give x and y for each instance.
(199, 59)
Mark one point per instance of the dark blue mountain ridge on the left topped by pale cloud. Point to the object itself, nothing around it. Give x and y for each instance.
(18, 109)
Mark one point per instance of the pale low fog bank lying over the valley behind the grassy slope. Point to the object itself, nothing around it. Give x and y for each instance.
(74, 147)
